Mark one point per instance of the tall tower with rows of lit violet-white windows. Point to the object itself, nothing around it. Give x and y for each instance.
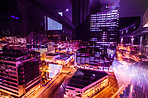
(104, 27)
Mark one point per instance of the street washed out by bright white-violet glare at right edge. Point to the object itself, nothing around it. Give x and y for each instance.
(136, 70)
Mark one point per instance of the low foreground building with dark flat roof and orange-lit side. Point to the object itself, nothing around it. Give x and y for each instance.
(86, 83)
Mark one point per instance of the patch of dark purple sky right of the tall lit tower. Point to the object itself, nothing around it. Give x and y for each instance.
(129, 8)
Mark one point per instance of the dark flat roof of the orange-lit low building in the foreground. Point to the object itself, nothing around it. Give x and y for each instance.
(83, 78)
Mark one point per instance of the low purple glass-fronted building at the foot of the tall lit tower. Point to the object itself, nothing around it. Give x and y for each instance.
(94, 58)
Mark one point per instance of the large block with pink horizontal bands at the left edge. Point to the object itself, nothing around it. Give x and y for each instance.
(19, 72)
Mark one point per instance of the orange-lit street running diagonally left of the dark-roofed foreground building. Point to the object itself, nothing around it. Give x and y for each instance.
(56, 83)
